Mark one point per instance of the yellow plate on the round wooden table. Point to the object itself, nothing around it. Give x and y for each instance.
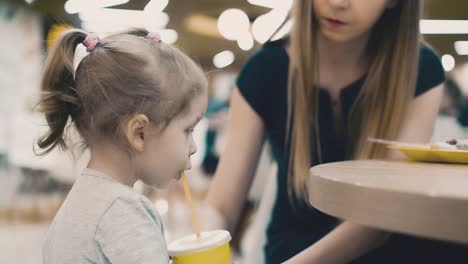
(432, 155)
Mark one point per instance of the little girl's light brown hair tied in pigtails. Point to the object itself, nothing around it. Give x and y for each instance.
(125, 74)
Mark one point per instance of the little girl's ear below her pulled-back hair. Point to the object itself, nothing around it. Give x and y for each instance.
(135, 131)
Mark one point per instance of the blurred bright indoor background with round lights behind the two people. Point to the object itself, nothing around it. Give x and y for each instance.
(220, 35)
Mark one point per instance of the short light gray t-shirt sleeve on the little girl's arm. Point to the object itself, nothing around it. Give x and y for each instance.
(130, 232)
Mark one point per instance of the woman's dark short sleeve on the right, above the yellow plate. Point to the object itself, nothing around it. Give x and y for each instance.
(430, 72)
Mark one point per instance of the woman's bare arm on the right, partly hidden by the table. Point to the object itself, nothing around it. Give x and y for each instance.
(349, 241)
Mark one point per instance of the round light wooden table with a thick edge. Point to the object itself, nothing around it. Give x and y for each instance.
(423, 199)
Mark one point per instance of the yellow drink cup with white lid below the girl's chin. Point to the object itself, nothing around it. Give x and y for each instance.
(211, 248)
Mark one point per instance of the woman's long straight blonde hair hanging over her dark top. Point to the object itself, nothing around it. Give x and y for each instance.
(393, 55)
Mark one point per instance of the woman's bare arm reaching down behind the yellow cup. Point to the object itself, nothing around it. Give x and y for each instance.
(234, 175)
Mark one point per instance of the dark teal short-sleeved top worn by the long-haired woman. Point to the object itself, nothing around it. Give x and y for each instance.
(263, 83)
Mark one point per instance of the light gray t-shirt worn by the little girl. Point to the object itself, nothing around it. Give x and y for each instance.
(104, 221)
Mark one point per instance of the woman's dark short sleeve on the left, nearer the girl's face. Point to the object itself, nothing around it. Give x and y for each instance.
(253, 83)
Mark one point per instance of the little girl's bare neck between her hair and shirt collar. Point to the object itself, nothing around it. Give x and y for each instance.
(113, 162)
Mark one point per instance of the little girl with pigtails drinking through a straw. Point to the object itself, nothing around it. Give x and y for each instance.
(135, 101)
